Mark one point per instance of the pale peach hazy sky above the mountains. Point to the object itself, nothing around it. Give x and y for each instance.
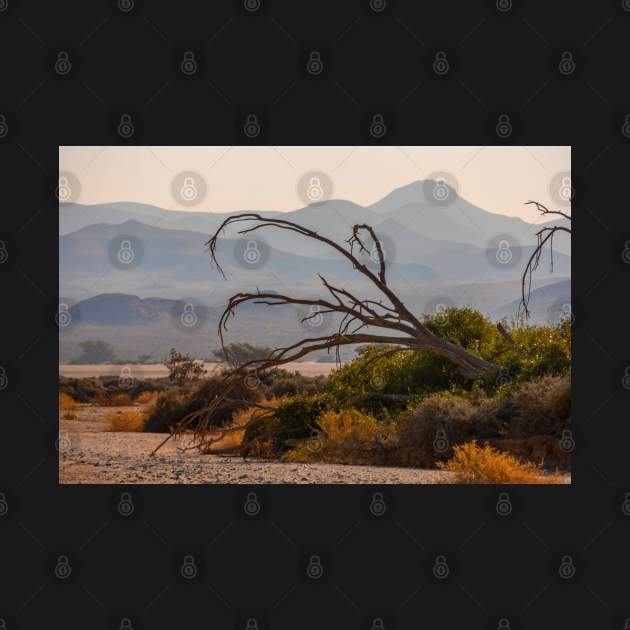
(498, 179)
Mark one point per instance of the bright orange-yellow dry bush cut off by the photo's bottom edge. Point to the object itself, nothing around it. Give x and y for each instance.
(483, 464)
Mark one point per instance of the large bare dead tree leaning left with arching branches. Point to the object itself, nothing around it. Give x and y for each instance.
(385, 320)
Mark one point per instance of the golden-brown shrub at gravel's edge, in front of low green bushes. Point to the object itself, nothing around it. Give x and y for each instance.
(345, 437)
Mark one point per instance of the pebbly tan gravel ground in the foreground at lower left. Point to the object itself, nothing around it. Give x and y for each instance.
(88, 453)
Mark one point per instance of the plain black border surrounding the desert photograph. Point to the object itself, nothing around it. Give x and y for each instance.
(375, 62)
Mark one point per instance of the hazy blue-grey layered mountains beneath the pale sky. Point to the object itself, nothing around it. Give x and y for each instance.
(435, 254)
